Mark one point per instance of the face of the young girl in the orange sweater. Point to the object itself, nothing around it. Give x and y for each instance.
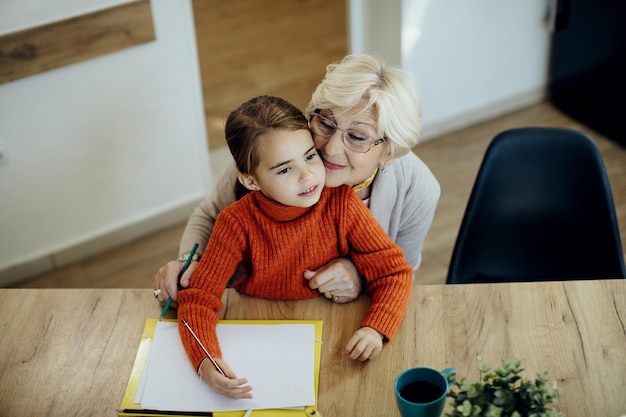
(290, 170)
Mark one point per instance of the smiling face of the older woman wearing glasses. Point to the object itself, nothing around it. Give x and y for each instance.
(344, 166)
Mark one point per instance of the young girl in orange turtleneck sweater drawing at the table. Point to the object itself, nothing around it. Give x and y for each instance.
(288, 223)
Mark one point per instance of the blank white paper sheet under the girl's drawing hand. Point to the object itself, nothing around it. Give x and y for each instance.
(277, 360)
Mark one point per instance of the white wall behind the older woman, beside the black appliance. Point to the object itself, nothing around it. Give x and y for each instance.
(473, 60)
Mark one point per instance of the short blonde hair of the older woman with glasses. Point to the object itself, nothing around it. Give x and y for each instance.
(390, 92)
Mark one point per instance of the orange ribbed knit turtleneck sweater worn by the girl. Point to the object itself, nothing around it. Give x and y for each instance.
(276, 243)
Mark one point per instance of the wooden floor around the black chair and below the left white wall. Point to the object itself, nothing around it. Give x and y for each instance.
(454, 159)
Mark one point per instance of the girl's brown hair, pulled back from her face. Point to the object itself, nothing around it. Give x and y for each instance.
(249, 122)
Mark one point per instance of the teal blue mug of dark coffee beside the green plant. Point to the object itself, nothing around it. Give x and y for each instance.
(421, 392)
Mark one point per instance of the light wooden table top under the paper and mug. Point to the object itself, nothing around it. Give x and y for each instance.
(70, 352)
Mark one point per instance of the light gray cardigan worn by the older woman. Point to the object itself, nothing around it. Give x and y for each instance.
(403, 200)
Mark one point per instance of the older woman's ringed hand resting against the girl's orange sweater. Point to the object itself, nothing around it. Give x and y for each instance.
(338, 280)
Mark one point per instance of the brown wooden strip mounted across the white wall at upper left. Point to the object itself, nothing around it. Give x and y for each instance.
(35, 50)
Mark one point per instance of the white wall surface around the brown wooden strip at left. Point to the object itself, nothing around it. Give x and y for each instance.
(101, 151)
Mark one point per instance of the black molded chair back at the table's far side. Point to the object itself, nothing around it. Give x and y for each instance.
(541, 210)
